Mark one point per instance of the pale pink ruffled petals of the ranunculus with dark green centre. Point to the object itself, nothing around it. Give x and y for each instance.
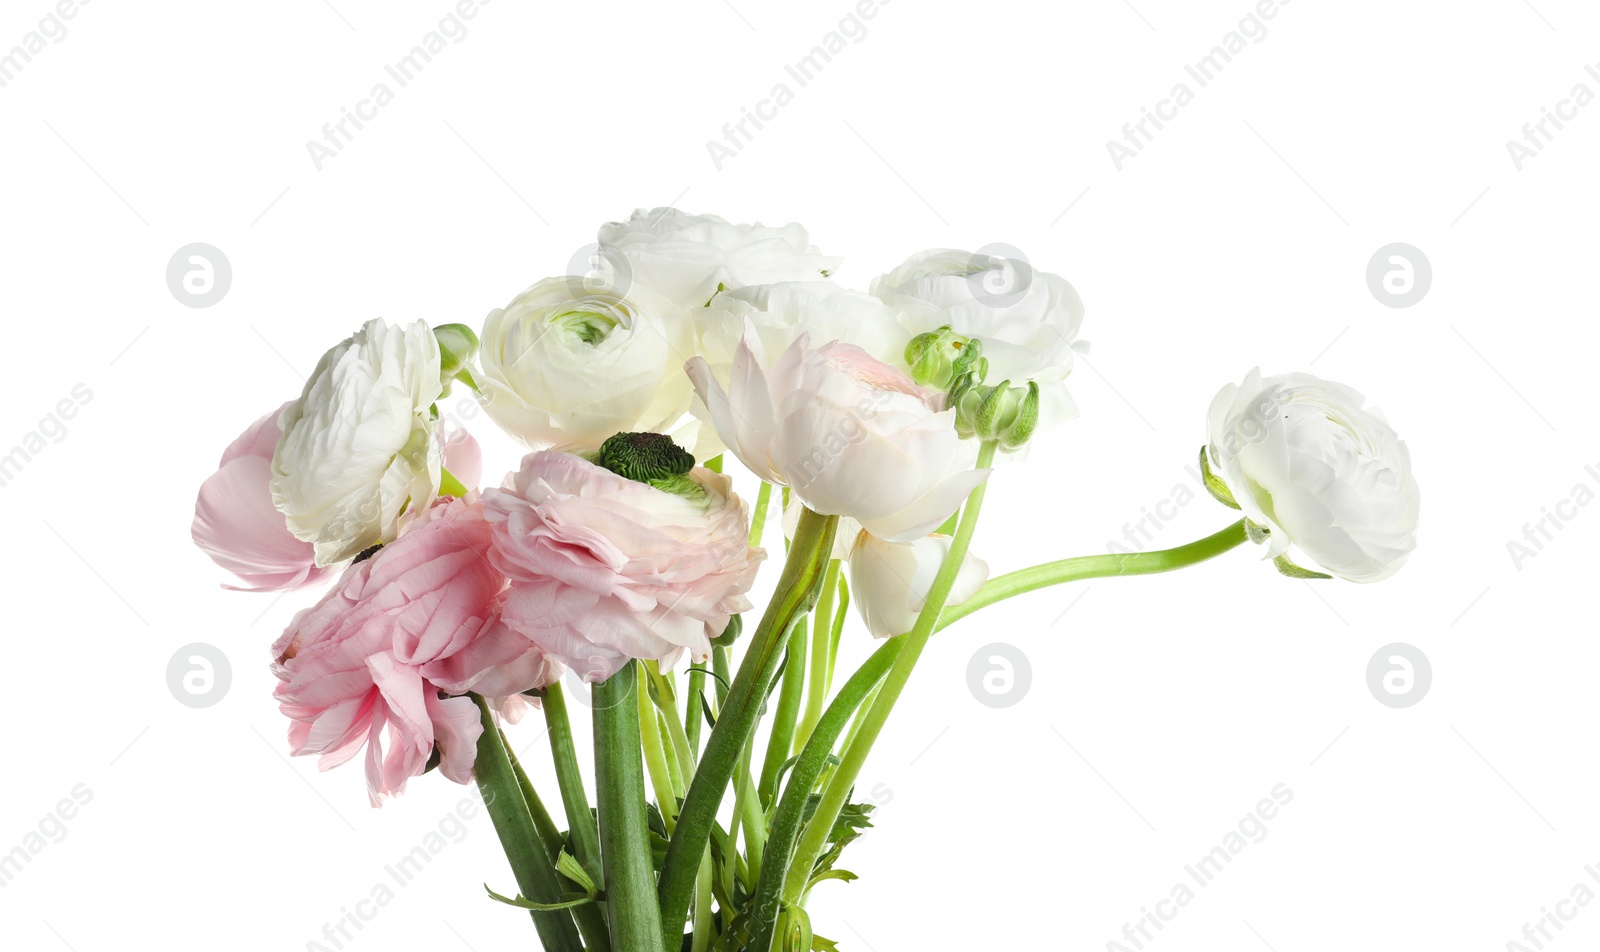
(606, 569)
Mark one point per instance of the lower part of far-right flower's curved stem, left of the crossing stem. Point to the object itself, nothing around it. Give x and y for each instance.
(802, 780)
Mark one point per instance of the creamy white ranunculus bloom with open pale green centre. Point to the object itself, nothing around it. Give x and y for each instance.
(564, 364)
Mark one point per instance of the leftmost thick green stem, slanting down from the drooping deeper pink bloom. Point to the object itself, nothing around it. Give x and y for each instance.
(514, 825)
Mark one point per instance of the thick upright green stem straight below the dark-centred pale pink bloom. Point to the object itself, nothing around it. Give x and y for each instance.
(625, 831)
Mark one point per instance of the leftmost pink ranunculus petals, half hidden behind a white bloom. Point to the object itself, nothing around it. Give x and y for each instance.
(238, 526)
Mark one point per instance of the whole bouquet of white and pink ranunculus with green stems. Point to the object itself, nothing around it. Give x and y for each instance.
(726, 743)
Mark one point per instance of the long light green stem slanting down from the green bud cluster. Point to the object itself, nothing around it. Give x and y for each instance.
(838, 793)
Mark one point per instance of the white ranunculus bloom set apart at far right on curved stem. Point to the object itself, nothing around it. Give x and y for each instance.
(1310, 463)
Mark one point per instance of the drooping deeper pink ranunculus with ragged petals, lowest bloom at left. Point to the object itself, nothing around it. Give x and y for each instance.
(383, 660)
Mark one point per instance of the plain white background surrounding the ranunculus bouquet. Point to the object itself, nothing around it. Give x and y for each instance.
(1161, 710)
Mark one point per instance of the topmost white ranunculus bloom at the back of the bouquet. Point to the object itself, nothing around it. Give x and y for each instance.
(687, 257)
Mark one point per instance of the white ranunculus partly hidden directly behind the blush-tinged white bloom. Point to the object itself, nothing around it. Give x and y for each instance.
(782, 313)
